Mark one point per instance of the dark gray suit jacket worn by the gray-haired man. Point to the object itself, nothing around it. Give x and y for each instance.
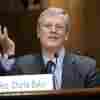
(78, 71)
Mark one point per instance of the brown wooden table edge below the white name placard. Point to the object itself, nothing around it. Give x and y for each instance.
(67, 92)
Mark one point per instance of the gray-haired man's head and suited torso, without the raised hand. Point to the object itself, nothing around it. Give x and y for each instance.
(70, 70)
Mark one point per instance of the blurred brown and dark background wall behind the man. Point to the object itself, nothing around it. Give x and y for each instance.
(20, 16)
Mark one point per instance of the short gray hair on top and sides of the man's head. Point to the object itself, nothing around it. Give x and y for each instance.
(54, 11)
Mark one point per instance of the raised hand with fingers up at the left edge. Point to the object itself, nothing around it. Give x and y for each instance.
(7, 44)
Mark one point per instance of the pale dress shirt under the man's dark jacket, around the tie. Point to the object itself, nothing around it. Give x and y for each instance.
(59, 65)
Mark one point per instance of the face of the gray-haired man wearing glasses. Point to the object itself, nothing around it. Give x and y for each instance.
(52, 32)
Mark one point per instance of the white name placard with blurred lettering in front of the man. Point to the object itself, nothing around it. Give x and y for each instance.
(22, 83)
